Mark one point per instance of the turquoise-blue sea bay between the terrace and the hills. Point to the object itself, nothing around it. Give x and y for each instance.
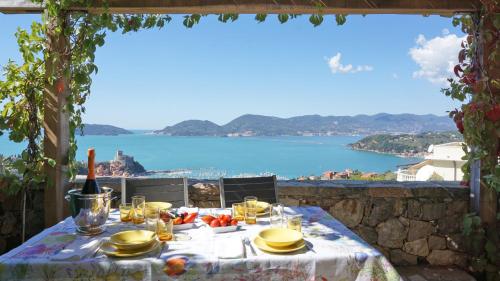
(212, 157)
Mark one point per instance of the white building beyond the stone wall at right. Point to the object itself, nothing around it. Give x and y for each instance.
(444, 162)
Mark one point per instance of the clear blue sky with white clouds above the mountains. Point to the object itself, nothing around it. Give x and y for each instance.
(216, 71)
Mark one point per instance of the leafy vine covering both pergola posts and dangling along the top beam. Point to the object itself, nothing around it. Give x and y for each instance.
(22, 89)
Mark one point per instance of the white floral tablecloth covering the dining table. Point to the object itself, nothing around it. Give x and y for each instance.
(333, 253)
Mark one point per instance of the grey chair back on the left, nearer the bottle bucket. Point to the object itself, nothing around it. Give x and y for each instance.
(172, 190)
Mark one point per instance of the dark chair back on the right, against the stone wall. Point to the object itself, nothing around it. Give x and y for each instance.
(233, 190)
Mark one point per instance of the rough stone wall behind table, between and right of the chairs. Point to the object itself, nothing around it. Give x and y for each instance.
(410, 223)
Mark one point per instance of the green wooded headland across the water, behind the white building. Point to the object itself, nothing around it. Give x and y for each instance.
(405, 144)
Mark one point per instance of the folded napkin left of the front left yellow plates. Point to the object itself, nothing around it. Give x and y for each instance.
(78, 250)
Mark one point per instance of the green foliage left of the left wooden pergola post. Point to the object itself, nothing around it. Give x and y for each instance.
(21, 93)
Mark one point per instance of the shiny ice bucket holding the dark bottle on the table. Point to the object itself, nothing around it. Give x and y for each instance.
(90, 211)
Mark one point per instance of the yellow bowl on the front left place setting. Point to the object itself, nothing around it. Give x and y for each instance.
(132, 239)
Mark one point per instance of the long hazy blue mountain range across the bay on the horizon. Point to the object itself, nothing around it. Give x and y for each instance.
(258, 125)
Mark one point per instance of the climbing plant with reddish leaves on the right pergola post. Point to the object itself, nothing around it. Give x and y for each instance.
(477, 85)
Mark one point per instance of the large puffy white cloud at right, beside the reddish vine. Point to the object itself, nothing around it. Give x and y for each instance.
(436, 57)
